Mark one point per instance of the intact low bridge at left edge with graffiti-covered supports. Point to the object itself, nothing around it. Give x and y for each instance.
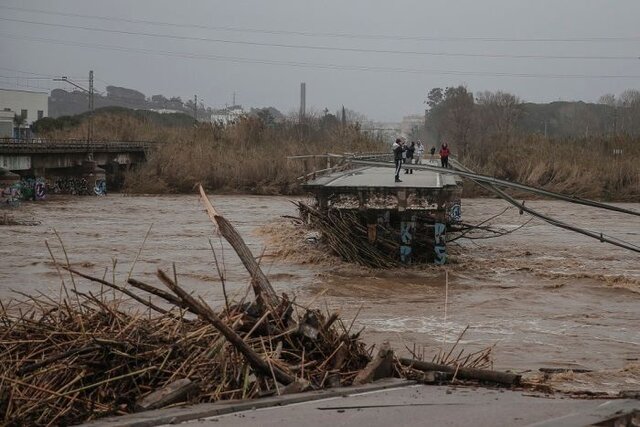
(36, 166)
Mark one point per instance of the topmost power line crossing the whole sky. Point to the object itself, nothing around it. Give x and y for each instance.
(334, 35)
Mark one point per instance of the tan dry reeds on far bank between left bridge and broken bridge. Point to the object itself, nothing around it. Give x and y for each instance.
(248, 156)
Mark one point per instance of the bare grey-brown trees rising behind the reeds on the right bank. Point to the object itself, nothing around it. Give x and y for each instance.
(454, 114)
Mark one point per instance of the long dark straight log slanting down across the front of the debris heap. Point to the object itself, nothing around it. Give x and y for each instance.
(206, 313)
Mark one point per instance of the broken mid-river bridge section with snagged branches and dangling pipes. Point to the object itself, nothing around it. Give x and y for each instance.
(368, 218)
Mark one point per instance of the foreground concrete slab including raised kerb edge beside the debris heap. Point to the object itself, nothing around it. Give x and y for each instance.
(396, 403)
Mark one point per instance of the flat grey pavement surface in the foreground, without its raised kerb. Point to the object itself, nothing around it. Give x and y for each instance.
(431, 405)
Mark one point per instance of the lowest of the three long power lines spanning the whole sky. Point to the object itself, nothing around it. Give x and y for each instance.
(312, 65)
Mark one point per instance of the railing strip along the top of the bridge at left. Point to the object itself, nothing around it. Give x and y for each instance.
(31, 146)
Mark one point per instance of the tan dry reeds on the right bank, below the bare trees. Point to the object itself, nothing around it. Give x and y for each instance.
(581, 167)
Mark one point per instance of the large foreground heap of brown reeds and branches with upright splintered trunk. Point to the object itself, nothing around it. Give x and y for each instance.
(89, 355)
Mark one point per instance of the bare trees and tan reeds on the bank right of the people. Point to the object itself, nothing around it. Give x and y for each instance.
(587, 150)
